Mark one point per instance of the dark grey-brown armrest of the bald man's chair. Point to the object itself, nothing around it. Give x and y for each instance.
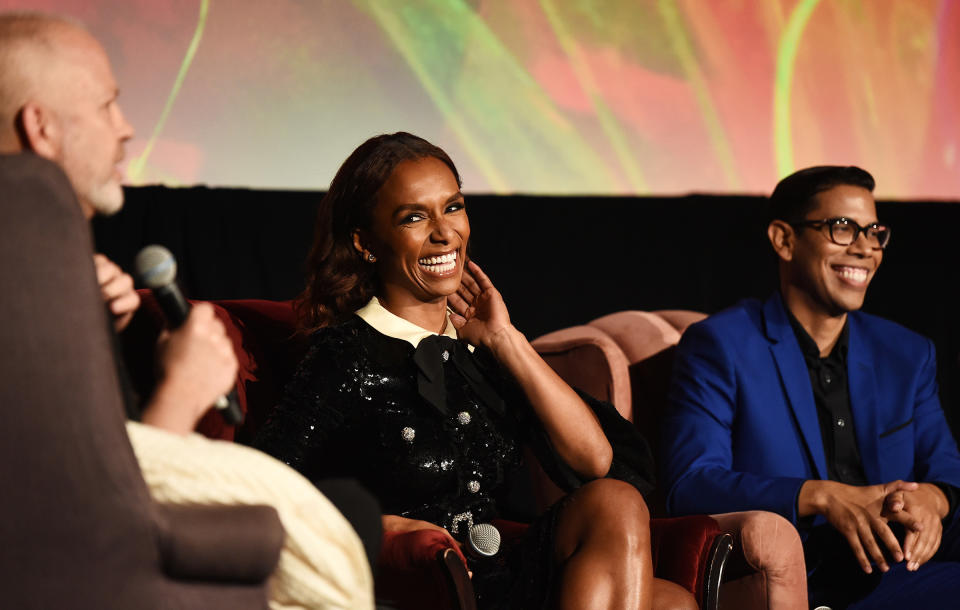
(219, 543)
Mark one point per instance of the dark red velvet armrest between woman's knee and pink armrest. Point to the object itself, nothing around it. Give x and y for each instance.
(692, 552)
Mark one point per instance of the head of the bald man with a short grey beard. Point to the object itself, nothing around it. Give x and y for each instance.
(58, 98)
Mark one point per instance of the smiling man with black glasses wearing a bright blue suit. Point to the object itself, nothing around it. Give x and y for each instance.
(804, 406)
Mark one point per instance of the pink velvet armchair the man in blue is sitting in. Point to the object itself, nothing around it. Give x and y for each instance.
(626, 357)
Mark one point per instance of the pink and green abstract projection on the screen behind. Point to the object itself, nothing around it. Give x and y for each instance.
(540, 96)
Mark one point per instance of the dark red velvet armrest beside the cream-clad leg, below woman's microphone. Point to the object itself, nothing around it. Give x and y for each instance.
(423, 569)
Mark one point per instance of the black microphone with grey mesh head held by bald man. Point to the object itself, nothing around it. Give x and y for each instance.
(157, 270)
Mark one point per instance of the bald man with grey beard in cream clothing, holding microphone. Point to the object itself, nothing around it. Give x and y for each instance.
(58, 99)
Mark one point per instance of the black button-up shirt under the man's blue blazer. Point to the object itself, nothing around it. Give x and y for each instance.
(828, 377)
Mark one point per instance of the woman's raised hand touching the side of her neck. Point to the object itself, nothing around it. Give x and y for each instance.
(479, 313)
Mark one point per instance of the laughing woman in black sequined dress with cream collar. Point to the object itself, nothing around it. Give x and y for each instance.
(418, 385)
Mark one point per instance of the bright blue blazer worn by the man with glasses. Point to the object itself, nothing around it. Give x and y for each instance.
(742, 430)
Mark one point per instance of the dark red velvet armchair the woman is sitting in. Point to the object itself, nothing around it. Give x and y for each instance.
(420, 569)
